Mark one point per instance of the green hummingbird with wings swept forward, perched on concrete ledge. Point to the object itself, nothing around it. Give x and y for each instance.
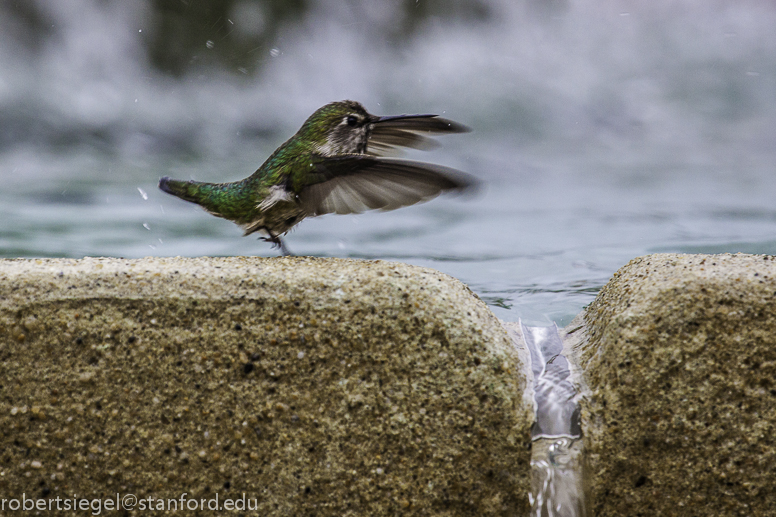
(335, 163)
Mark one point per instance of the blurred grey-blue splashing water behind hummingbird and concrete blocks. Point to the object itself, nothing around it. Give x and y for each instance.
(602, 130)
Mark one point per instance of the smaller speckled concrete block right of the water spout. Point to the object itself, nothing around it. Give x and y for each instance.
(679, 354)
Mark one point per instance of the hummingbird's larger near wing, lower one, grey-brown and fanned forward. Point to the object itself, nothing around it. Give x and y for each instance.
(357, 183)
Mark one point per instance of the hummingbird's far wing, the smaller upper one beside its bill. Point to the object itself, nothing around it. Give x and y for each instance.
(414, 131)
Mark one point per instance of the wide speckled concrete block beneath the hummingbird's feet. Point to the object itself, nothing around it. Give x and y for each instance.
(312, 386)
